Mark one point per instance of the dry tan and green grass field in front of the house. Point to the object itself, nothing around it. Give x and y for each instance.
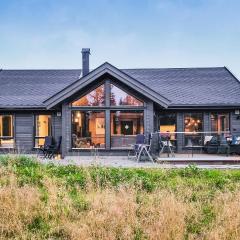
(68, 202)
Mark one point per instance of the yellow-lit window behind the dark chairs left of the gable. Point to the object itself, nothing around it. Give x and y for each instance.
(42, 128)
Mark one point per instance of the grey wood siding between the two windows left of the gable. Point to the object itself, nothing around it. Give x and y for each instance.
(24, 132)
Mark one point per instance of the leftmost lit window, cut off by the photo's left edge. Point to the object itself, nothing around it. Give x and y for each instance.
(6, 131)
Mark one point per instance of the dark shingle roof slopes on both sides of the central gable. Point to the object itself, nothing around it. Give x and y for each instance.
(182, 86)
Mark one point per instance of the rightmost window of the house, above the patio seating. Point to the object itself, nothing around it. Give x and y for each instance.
(220, 122)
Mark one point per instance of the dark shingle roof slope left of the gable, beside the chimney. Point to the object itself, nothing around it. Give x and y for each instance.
(32, 87)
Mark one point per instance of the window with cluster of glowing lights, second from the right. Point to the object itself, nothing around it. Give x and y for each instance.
(193, 125)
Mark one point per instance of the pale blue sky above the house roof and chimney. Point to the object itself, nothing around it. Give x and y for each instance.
(37, 34)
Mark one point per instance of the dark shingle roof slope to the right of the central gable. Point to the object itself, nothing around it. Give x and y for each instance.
(191, 86)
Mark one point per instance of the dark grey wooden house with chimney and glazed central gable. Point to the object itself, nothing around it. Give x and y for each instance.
(107, 107)
